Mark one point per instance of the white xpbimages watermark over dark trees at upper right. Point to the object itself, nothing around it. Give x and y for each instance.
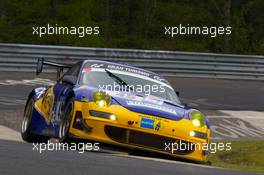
(213, 31)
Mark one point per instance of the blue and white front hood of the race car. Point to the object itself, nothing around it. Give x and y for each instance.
(149, 105)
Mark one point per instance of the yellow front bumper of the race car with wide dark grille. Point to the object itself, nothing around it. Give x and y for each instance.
(127, 131)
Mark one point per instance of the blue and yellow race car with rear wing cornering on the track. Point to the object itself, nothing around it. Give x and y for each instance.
(116, 104)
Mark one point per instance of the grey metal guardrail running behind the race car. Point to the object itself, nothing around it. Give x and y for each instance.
(23, 57)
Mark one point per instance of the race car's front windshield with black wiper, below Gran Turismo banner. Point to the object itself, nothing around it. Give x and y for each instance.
(120, 81)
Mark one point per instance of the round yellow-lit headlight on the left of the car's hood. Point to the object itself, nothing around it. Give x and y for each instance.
(102, 99)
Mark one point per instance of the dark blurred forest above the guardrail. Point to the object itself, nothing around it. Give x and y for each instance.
(138, 24)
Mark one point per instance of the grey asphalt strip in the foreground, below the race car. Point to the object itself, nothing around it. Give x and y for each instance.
(18, 158)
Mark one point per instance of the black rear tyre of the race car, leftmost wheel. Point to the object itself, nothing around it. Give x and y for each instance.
(26, 127)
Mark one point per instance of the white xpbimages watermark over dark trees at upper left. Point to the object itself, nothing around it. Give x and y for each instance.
(80, 31)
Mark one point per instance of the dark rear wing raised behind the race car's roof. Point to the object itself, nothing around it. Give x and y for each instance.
(60, 67)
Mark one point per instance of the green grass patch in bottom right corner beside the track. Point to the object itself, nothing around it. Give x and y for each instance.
(244, 156)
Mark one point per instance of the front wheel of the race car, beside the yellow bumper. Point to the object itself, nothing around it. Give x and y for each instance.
(67, 116)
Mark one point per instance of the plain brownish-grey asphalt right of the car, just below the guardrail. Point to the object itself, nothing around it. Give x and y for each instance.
(220, 94)
